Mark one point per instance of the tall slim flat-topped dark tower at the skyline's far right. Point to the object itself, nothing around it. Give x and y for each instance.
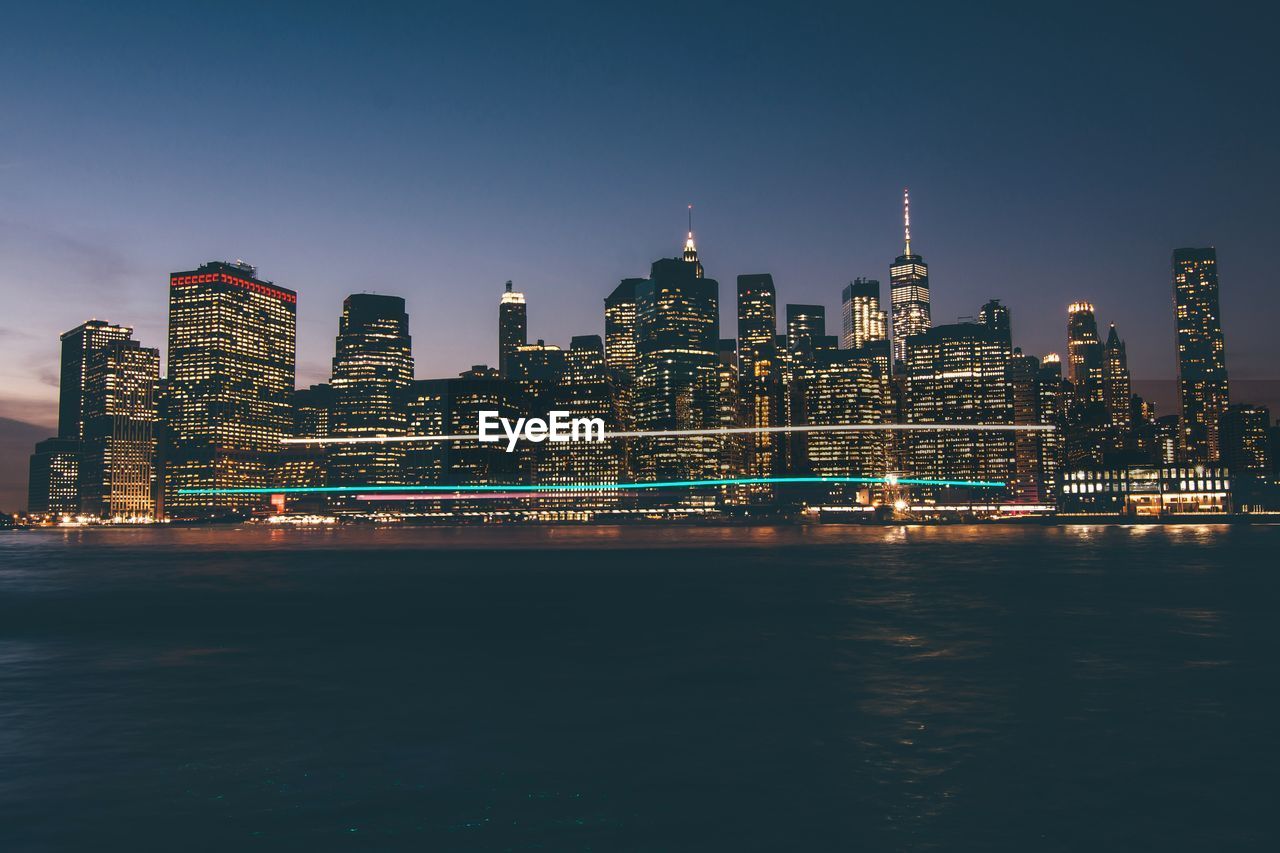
(1201, 353)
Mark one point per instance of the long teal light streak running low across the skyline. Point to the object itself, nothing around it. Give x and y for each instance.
(587, 487)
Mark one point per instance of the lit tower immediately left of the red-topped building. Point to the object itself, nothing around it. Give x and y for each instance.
(118, 463)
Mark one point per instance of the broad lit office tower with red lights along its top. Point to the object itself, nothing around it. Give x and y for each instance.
(232, 343)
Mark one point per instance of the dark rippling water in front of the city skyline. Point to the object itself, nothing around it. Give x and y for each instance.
(591, 690)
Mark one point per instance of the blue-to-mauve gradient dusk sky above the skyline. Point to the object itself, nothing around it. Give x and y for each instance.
(437, 152)
